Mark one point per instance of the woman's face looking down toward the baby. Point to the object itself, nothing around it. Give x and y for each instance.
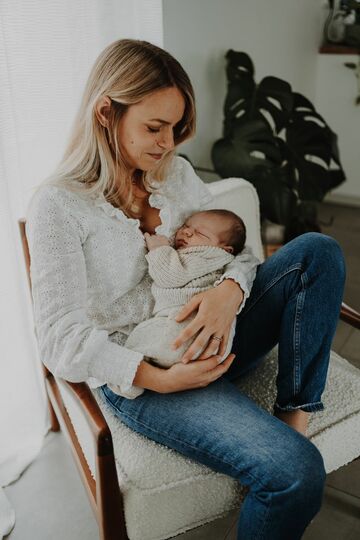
(146, 129)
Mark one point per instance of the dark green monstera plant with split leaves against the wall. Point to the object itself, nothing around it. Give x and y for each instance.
(274, 138)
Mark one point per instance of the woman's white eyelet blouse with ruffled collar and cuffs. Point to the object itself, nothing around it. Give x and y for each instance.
(89, 275)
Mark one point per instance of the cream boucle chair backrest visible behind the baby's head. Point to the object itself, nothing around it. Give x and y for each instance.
(241, 197)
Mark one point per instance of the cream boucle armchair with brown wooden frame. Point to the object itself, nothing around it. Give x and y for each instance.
(141, 490)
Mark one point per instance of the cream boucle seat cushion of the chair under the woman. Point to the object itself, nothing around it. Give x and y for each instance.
(160, 486)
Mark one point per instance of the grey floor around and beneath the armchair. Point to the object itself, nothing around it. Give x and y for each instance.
(41, 498)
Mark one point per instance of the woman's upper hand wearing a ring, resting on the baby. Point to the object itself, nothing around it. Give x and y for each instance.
(216, 310)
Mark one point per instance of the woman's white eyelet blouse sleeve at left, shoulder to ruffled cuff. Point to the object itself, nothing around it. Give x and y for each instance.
(69, 343)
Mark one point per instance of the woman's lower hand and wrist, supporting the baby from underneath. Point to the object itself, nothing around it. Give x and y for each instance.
(196, 374)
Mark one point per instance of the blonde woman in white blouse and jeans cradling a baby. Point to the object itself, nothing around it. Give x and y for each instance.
(119, 178)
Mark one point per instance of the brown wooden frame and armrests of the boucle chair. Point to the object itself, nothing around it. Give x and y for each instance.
(104, 493)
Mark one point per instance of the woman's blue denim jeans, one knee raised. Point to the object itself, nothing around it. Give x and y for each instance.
(295, 302)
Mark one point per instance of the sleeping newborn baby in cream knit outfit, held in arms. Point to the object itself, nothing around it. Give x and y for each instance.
(203, 246)
